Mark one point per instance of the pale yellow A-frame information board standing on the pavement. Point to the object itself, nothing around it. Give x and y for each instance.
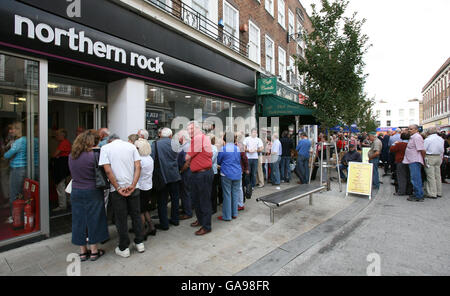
(359, 179)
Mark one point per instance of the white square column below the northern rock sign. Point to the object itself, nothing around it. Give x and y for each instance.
(126, 107)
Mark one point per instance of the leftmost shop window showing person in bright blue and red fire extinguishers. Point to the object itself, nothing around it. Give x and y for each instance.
(19, 146)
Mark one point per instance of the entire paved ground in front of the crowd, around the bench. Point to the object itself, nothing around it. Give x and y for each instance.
(334, 236)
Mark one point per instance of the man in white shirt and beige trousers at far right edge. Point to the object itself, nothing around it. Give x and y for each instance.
(434, 146)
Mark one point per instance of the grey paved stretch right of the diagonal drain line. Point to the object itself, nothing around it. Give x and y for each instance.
(406, 238)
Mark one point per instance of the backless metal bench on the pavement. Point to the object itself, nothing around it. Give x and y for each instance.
(278, 199)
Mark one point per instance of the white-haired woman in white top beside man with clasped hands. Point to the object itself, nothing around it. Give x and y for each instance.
(145, 185)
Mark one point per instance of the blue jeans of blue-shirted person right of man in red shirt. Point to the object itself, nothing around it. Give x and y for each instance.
(231, 192)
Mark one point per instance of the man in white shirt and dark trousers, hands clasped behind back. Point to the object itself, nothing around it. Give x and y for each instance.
(122, 165)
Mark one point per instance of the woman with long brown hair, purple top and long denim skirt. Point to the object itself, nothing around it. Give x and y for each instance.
(88, 210)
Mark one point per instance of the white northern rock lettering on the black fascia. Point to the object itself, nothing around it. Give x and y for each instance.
(83, 44)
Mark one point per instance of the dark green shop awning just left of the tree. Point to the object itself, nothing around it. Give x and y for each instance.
(275, 106)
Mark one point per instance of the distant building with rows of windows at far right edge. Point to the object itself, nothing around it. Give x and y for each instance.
(436, 98)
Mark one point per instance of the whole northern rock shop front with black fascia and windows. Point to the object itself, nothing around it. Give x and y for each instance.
(60, 77)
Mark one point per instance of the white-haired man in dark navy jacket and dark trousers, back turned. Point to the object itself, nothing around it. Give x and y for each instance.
(167, 158)
